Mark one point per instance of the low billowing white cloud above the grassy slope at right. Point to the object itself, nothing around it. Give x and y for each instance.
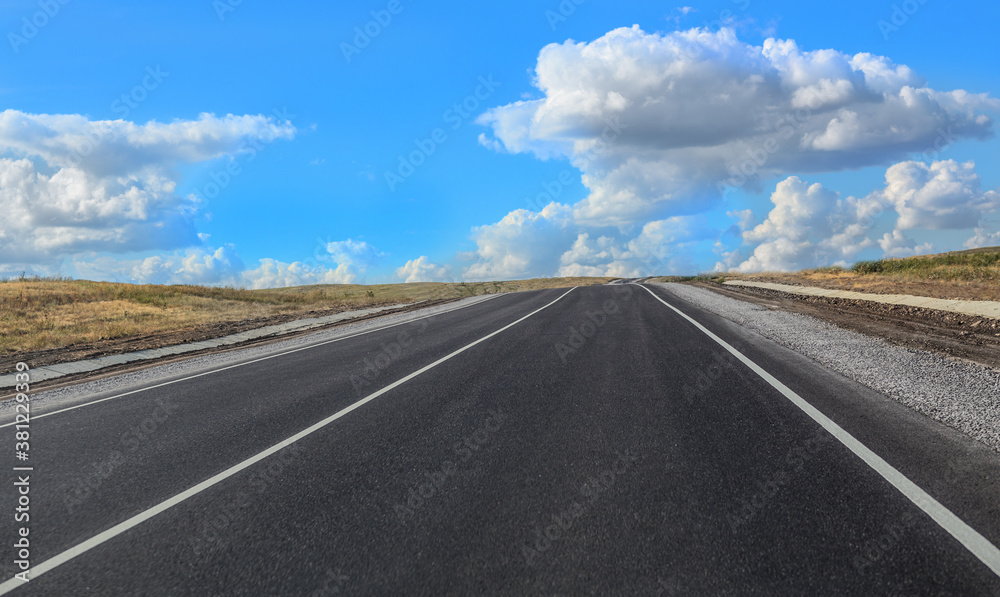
(811, 226)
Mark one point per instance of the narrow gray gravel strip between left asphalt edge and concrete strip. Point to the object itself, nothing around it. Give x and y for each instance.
(47, 400)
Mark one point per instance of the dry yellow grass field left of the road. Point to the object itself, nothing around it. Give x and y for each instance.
(41, 314)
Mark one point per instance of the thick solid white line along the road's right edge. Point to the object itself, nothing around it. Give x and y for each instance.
(978, 545)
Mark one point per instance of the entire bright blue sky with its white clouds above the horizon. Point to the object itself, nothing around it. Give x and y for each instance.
(254, 143)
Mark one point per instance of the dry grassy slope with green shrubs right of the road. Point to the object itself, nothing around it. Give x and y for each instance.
(968, 275)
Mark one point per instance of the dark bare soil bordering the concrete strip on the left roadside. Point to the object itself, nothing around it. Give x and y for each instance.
(90, 350)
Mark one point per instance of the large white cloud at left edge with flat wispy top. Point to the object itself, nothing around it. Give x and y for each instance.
(71, 185)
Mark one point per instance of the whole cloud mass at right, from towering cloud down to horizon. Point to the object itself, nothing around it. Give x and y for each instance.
(661, 126)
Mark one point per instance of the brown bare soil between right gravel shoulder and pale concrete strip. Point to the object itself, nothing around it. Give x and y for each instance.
(966, 337)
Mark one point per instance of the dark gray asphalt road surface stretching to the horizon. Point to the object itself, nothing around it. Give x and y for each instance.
(595, 442)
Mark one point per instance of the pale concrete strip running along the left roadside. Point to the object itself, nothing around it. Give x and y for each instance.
(62, 369)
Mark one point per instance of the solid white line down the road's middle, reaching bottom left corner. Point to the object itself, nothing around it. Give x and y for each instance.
(138, 519)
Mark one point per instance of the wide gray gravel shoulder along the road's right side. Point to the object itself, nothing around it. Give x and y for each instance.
(960, 394)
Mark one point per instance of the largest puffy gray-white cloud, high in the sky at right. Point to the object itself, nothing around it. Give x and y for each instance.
(659, 124)
